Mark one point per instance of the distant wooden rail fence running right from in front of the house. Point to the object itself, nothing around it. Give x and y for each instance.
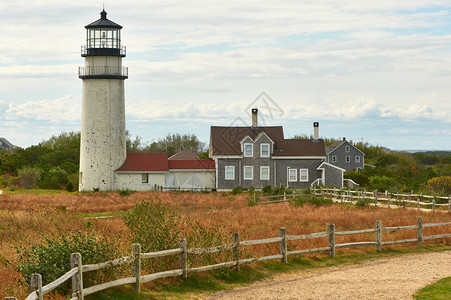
(374, 198)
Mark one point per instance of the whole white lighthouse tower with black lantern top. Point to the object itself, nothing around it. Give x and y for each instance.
(103, 136)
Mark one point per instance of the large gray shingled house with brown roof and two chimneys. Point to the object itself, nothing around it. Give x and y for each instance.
(256, 156)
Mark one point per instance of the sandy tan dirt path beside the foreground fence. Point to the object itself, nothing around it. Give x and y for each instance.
(389, 278)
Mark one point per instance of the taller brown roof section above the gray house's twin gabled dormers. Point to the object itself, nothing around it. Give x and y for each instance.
(226, 140)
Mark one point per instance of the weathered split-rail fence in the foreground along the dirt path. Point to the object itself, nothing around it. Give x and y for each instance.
(79, 291)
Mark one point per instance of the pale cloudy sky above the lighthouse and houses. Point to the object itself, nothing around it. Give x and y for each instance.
(372, 71)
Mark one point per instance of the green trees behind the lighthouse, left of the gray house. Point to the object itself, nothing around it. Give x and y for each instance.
(54, 163)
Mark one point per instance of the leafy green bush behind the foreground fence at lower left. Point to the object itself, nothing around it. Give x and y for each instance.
(51, 259)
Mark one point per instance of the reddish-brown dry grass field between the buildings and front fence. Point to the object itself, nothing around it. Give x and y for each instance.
(27, 217)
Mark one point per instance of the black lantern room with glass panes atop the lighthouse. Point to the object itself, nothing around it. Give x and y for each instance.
(103, 38)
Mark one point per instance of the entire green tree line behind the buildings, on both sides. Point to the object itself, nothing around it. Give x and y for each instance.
(54, 163)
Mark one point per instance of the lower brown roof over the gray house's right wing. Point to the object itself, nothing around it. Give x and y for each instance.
(300, 147)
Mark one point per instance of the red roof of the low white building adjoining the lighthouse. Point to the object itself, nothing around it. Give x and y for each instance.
(145, 162)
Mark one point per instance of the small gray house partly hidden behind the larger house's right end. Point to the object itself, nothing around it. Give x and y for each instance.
(345, 155)
